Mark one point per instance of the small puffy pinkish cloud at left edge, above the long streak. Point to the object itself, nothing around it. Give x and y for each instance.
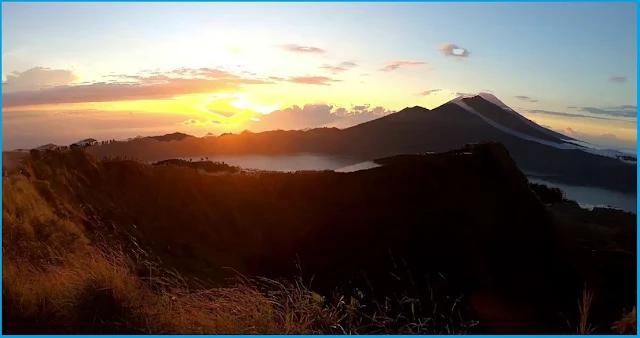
(37, 78)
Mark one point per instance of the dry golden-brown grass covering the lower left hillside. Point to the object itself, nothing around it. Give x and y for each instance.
(56, 281)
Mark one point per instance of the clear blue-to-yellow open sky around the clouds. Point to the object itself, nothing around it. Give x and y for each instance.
(574, 58)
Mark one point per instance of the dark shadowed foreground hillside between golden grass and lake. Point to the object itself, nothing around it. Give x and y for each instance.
(458, 229)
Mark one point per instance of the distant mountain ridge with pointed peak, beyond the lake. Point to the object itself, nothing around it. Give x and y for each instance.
(413, 130)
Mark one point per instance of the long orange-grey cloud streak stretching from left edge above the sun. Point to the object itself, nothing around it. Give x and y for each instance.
(134, 87)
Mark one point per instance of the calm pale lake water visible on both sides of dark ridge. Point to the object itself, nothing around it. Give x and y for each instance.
(587, 197)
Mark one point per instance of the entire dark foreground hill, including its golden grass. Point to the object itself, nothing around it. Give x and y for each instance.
(460, 235)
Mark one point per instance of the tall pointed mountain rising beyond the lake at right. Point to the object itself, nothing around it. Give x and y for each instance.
(474, 120)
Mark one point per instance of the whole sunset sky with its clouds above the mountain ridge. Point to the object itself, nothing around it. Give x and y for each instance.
(117, 70)
